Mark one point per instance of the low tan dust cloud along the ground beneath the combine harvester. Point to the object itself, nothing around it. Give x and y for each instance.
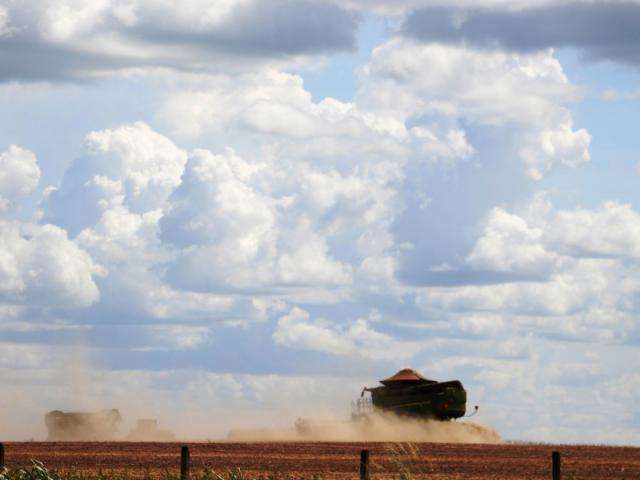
(383, 427)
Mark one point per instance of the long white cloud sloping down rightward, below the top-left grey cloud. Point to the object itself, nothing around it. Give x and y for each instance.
(273, 106)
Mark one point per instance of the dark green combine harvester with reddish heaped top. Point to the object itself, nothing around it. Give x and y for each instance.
(409, 394)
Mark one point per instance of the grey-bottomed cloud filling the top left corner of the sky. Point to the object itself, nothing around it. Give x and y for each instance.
(63, 40)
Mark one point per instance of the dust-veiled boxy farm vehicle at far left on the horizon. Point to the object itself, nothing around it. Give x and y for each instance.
(82, 426)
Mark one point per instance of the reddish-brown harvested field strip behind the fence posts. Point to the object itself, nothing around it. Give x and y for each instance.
(337, 460)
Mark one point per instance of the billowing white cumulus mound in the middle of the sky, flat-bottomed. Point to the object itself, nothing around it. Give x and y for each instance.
(243, 224)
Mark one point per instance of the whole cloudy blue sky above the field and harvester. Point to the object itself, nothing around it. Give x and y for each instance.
(237, 212)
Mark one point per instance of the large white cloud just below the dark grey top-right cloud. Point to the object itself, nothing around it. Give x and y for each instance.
(524, 93)
